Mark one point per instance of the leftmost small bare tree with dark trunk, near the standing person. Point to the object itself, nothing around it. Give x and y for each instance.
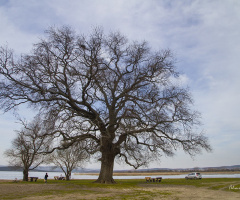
(27, 147)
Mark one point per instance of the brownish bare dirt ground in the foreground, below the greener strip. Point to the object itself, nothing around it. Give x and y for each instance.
(34, 192)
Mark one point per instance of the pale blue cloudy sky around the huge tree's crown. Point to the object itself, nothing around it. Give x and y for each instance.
(203, 35)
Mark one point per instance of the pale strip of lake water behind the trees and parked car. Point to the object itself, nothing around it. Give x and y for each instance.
(11, 175)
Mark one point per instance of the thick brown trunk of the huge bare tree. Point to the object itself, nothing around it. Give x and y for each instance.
(106, 172)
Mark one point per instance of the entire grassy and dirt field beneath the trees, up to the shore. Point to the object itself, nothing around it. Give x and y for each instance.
(219, 188)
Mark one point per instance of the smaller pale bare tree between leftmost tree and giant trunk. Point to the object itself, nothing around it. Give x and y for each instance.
(70, 158)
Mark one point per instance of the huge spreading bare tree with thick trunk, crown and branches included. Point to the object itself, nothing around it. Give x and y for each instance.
(118, 94)
